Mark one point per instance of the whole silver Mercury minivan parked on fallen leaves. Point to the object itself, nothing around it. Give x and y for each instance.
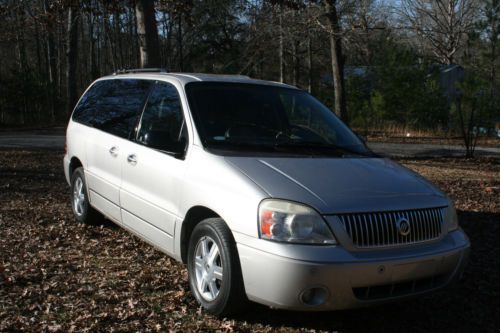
(261, 190)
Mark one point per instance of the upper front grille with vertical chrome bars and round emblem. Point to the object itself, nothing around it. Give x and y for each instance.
(381, 229)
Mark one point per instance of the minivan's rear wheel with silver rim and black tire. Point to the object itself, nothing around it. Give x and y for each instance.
(83, 212)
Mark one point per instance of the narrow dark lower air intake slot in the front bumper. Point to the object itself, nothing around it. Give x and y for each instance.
(398, 289)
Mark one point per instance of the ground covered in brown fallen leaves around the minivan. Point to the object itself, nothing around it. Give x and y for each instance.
(56, 275)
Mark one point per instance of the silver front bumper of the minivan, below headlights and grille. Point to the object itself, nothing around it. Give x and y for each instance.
(278, 275)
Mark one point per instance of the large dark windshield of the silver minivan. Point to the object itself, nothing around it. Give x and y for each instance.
(266, 118)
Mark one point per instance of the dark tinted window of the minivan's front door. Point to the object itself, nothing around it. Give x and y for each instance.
(162, 123)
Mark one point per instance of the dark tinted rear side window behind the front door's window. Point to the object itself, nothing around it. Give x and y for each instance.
(113, 105)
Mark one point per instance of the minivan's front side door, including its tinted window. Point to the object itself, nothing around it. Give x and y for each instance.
(154, 168)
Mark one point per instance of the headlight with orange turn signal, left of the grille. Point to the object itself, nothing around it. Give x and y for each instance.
(285, 221)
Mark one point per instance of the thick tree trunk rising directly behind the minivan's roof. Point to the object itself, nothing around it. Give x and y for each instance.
(147, 33)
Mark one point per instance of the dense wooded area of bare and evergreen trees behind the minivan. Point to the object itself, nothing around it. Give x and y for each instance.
(375, 63)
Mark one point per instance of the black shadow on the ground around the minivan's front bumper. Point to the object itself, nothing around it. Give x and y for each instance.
(469, 305)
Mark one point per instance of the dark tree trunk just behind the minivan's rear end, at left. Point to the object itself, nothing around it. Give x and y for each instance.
(72, 56)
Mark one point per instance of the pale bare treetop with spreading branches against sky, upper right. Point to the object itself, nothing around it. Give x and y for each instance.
(442, 25)
